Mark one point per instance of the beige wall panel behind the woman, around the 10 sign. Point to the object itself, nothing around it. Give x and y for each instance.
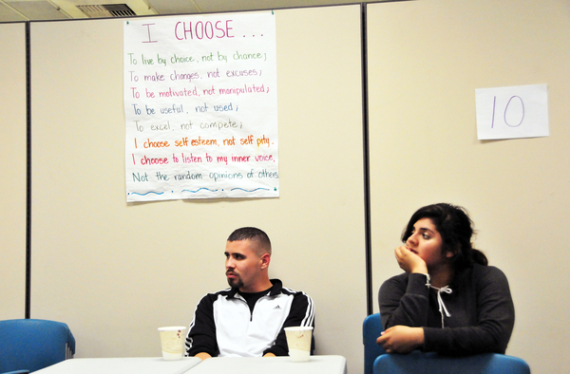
(426, 58)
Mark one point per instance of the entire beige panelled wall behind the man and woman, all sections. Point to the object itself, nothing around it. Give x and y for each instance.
(115, 271)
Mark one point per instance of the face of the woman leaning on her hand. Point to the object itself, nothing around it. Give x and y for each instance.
(426, 242)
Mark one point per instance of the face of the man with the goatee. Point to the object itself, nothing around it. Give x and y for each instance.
(243, 264)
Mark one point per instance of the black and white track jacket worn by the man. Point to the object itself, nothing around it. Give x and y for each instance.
(224, 326)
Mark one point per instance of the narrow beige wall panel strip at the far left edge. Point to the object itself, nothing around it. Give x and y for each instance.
(13, 171)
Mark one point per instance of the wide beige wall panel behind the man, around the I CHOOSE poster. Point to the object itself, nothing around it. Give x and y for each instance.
(116, 271)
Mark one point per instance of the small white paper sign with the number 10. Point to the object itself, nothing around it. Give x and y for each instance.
(512, 112)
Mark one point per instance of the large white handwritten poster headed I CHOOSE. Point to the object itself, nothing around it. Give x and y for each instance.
(201, 107)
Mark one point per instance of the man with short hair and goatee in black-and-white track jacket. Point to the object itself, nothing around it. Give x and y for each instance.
(247, 319)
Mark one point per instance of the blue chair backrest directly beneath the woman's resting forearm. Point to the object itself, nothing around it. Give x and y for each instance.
(431, 363)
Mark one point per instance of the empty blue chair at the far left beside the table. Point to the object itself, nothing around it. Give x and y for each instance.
(27, 345)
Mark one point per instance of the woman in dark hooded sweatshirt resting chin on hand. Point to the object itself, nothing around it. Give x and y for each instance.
(448, 300)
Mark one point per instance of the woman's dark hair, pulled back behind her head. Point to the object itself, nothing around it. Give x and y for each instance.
(456, 229)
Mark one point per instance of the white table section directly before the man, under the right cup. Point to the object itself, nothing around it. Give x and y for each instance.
(271, 365)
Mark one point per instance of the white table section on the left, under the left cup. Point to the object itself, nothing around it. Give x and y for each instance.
(136, 365)
